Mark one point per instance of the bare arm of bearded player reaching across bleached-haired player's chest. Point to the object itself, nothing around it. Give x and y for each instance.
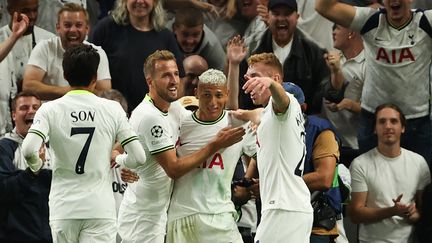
(177, 167)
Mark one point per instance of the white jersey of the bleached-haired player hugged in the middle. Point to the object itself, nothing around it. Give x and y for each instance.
(207, 188)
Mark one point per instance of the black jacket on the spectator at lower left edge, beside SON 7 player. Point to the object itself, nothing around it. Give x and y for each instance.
(24, 214)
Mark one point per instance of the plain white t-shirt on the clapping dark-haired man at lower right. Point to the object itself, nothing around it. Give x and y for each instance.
(385, 179)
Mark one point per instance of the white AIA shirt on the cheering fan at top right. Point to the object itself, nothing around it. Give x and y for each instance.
(397, 62)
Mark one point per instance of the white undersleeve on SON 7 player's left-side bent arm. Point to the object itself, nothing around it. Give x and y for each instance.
(30, 149)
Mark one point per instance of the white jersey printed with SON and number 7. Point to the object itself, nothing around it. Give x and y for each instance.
(82, 130)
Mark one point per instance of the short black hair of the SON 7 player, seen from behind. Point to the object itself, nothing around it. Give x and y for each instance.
(80, 64)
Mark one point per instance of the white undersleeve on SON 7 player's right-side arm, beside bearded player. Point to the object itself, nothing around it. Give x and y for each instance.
(134, 156)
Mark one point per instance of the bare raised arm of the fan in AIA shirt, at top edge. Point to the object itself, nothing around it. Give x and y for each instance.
(335, 11)
